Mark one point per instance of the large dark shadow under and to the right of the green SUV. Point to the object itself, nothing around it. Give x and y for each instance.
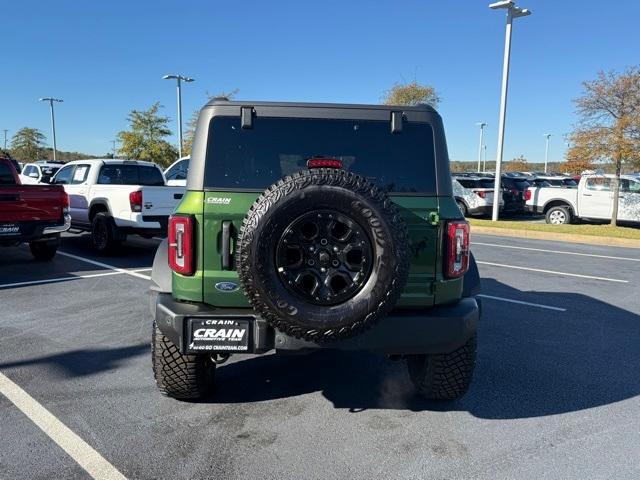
(531, 362)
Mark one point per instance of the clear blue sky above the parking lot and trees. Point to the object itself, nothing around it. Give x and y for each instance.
(106, 58)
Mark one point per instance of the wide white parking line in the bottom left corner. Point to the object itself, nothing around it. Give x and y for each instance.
(80, 451)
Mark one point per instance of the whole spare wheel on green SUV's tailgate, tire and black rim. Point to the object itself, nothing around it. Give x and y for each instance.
(323, 254)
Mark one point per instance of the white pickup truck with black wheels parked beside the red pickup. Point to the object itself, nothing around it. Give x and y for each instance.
(115, 198)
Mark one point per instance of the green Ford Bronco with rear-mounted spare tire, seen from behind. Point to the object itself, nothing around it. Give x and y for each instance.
(316, 226)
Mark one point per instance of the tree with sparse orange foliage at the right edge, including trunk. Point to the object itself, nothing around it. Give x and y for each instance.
(609, 125)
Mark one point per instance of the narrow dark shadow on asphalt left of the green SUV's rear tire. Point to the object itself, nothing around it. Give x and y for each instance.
(83, 362)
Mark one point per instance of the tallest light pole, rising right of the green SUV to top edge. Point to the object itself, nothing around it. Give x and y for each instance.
(512, 12)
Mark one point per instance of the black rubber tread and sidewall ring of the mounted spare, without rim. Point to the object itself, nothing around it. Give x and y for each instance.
(323, 191)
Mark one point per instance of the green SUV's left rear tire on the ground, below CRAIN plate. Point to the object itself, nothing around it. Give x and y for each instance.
(184, 377)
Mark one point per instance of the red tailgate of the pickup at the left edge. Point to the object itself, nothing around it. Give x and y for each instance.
(27, 203)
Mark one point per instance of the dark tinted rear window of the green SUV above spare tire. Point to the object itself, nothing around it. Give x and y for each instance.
(254, 158)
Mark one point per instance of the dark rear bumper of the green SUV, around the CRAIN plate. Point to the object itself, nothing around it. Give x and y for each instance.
(436, 330)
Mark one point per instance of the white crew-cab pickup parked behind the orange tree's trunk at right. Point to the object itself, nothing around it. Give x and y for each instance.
(592, 200)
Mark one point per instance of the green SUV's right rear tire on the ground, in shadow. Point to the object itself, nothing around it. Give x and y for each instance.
(443, 376)
